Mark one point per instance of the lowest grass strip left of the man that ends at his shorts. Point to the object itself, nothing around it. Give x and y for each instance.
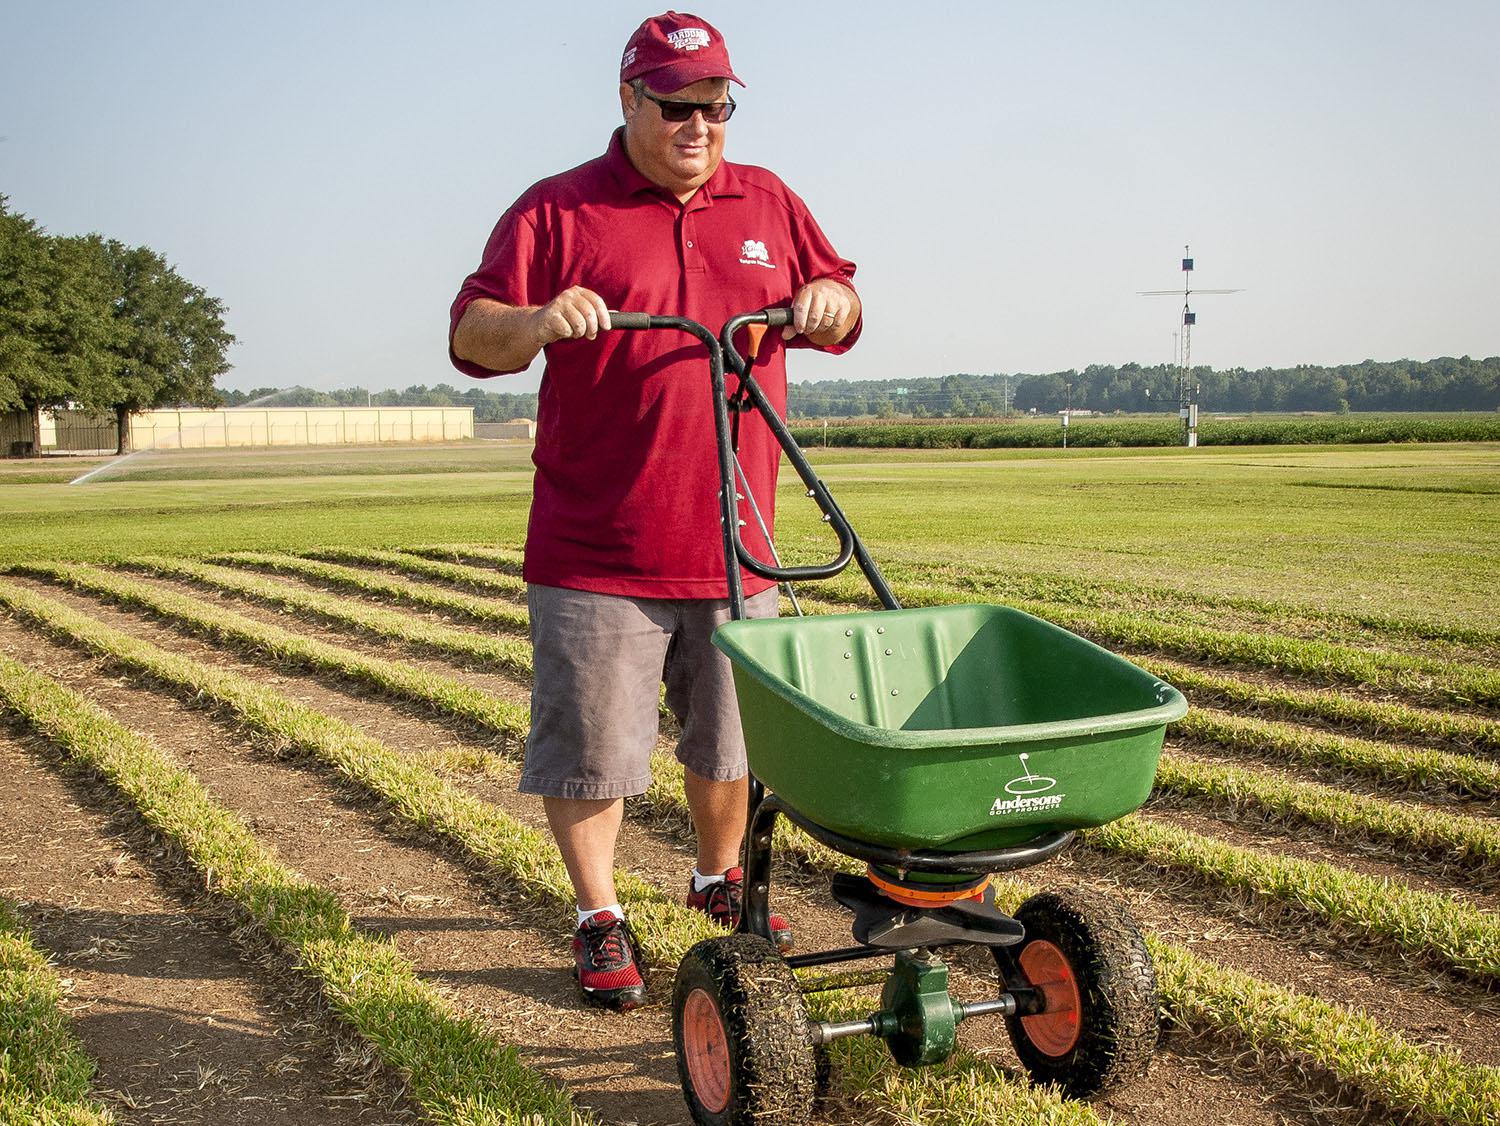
(442, 693)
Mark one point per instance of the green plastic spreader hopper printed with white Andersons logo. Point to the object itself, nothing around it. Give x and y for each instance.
(952, 728)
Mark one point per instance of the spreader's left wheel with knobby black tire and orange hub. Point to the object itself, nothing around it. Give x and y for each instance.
(740, 1031)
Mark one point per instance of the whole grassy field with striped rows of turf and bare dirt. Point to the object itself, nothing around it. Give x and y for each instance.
(262, 857)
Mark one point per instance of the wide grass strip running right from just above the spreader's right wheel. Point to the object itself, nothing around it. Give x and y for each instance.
(1430, 926)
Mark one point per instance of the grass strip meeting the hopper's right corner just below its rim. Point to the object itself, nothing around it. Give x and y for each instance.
(1411, 767)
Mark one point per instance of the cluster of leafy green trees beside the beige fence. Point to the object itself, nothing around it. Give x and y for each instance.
(101, 326)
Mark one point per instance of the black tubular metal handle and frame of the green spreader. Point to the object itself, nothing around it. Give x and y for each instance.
(766, 807)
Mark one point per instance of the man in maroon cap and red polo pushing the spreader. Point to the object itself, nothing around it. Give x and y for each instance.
(625, 566)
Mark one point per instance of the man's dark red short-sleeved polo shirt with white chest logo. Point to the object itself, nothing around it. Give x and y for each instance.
(626, 487)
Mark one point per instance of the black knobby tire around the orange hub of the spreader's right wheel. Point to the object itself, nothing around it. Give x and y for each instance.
(1117, 984)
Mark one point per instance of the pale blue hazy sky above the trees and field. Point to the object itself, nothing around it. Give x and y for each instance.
(1007, 176)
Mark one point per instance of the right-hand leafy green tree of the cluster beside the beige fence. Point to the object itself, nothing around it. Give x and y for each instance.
(170, 343)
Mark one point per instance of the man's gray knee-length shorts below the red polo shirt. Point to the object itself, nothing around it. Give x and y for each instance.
(601, 662)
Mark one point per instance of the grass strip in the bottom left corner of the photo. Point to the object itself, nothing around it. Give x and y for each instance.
(44, 1071)
